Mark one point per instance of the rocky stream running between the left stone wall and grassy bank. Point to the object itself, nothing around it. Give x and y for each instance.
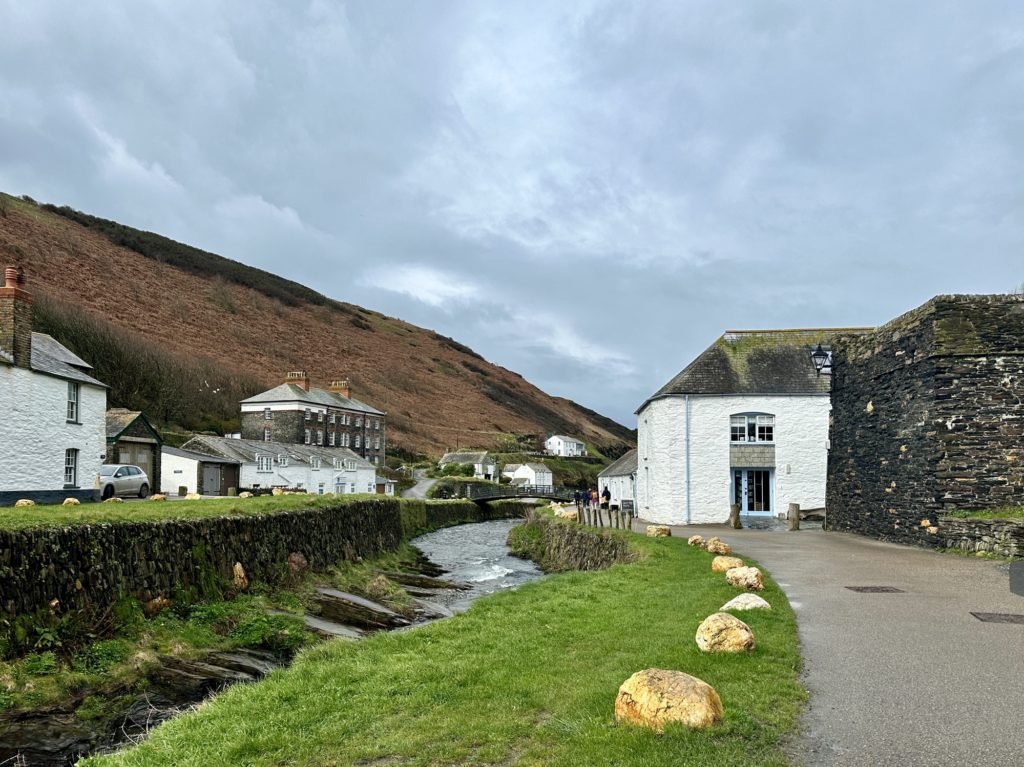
(474, 556)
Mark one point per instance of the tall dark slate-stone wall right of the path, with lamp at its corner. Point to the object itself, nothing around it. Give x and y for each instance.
(928, 417)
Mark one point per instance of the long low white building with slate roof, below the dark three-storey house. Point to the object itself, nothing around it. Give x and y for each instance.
(265, 465)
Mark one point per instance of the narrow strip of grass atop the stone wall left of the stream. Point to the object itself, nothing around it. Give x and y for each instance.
(147, 512)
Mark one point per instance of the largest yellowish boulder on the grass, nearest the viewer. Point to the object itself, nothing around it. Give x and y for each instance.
(655, 698)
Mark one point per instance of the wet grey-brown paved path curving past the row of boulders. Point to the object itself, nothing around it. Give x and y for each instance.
(899, 679)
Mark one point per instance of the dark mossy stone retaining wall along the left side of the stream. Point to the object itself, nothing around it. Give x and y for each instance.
(95, 566)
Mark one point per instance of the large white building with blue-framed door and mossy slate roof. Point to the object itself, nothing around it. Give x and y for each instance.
(747, 422)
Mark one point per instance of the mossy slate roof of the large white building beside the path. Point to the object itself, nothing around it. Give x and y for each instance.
(763, 362)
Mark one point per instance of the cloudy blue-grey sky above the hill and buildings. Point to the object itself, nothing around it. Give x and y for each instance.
(586, 193)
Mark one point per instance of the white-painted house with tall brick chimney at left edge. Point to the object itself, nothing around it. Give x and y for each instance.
(54, 428)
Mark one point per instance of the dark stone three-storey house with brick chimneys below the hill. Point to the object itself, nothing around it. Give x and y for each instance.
(296, 414)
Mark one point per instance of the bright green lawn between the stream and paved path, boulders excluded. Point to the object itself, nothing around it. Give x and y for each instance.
(527, 677)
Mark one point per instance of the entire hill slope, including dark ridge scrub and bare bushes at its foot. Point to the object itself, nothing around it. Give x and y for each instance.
(236, 330)
